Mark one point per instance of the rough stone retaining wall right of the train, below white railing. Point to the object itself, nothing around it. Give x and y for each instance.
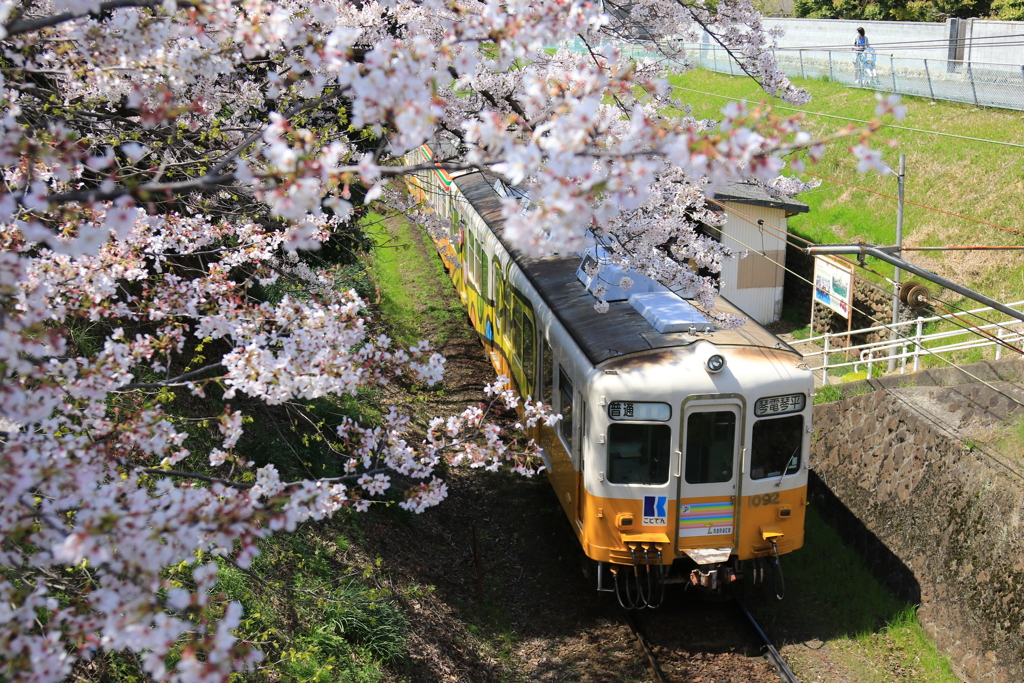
(942, 517)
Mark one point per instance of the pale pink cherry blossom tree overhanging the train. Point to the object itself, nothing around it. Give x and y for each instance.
(166, 166)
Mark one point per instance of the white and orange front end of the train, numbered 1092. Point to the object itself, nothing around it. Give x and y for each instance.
(698, 469)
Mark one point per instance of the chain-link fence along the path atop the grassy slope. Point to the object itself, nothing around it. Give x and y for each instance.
(975, 83)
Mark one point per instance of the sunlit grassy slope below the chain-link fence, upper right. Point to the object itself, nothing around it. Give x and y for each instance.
(977, 180)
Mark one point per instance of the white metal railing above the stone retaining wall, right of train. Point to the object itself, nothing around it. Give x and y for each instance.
(910, 344)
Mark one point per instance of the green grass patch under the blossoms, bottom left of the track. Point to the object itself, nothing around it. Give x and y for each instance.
(317, 614)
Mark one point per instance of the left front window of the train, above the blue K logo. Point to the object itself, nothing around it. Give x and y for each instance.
(638, 454)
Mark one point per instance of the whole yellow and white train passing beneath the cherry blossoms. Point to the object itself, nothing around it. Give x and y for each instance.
(681, 456)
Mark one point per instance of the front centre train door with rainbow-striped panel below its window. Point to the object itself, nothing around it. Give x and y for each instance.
(709, 488)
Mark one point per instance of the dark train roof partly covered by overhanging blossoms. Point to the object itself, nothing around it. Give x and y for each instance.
(622, 330)
